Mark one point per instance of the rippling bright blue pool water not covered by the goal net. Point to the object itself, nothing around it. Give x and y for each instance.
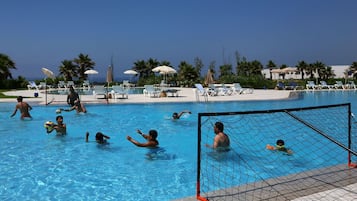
(37, 166)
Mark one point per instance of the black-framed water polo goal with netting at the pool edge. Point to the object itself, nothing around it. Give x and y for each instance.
(318, 137)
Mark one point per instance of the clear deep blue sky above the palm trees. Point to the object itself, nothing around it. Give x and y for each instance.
(38, 34)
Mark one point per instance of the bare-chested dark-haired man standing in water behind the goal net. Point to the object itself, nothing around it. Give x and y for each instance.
(221, 140)
